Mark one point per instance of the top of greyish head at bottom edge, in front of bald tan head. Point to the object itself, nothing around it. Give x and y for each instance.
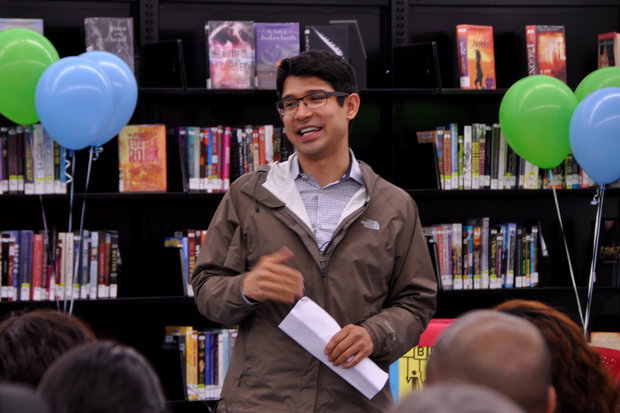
(457, 397)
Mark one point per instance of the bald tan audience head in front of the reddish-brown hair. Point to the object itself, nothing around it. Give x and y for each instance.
(496, 350)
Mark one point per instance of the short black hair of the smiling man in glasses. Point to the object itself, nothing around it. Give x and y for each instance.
(322, 64)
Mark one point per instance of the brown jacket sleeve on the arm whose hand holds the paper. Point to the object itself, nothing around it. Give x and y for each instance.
(412, 296)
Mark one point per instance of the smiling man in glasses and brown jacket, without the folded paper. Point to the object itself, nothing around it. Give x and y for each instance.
(324, 225)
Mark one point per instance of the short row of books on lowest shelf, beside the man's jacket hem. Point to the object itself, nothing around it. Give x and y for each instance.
(204, 356)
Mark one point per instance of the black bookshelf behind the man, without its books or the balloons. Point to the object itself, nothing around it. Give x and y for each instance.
(389, 117)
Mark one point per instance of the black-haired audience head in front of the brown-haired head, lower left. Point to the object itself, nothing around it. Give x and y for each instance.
(102, 377)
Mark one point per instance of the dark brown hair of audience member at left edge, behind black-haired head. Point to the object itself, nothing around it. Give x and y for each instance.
(31, 341)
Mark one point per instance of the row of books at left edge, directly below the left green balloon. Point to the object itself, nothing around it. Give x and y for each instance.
(31, 162)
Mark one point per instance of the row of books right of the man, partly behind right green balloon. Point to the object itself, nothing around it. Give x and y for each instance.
(477, 156)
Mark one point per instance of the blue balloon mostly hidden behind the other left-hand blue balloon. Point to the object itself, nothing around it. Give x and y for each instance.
(124, 88)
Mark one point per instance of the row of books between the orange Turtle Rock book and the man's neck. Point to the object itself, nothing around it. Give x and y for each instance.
(212, 157)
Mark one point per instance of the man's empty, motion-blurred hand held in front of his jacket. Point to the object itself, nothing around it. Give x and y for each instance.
(271, 279)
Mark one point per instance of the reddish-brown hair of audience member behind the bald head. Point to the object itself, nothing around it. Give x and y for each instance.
(580, 380)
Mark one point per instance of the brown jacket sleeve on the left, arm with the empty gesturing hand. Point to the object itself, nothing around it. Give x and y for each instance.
(220, 268)
